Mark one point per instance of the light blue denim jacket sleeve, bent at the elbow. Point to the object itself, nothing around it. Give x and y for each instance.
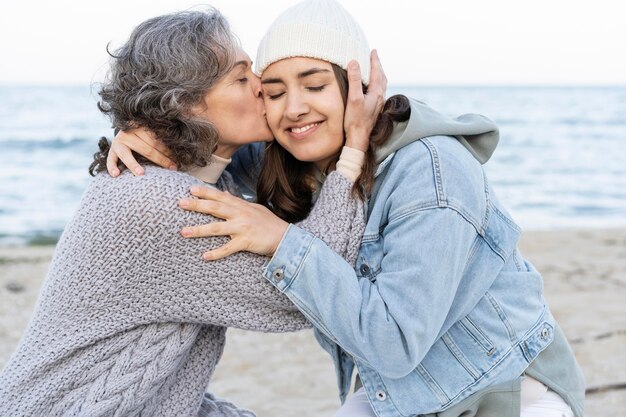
(390, 321)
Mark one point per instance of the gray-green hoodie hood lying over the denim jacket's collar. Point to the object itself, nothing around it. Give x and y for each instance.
(476, 132)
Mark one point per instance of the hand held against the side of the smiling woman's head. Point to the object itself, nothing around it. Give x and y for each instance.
(362, 109)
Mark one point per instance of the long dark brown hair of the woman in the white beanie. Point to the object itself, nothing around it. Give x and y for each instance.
(286, 185)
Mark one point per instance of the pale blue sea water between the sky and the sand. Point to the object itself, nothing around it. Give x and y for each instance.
(561, 161)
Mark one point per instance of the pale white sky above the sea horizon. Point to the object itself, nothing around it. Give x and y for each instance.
(445, 42)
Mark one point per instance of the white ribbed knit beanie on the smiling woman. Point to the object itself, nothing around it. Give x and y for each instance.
(320, 29)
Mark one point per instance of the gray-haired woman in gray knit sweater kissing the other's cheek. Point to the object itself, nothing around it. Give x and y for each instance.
(130, 321)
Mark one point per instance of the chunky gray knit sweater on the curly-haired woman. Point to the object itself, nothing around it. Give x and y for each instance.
(131, 321)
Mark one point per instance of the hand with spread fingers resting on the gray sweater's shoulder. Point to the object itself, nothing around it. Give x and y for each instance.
(251, 227)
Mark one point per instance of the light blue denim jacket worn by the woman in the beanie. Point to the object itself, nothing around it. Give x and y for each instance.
(441, 304)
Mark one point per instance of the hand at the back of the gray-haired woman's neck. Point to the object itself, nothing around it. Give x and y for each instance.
(143, 142)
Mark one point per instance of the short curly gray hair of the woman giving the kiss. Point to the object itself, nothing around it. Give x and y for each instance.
(162, 72)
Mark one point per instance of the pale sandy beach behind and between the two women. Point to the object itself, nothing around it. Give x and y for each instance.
(289, 375)
